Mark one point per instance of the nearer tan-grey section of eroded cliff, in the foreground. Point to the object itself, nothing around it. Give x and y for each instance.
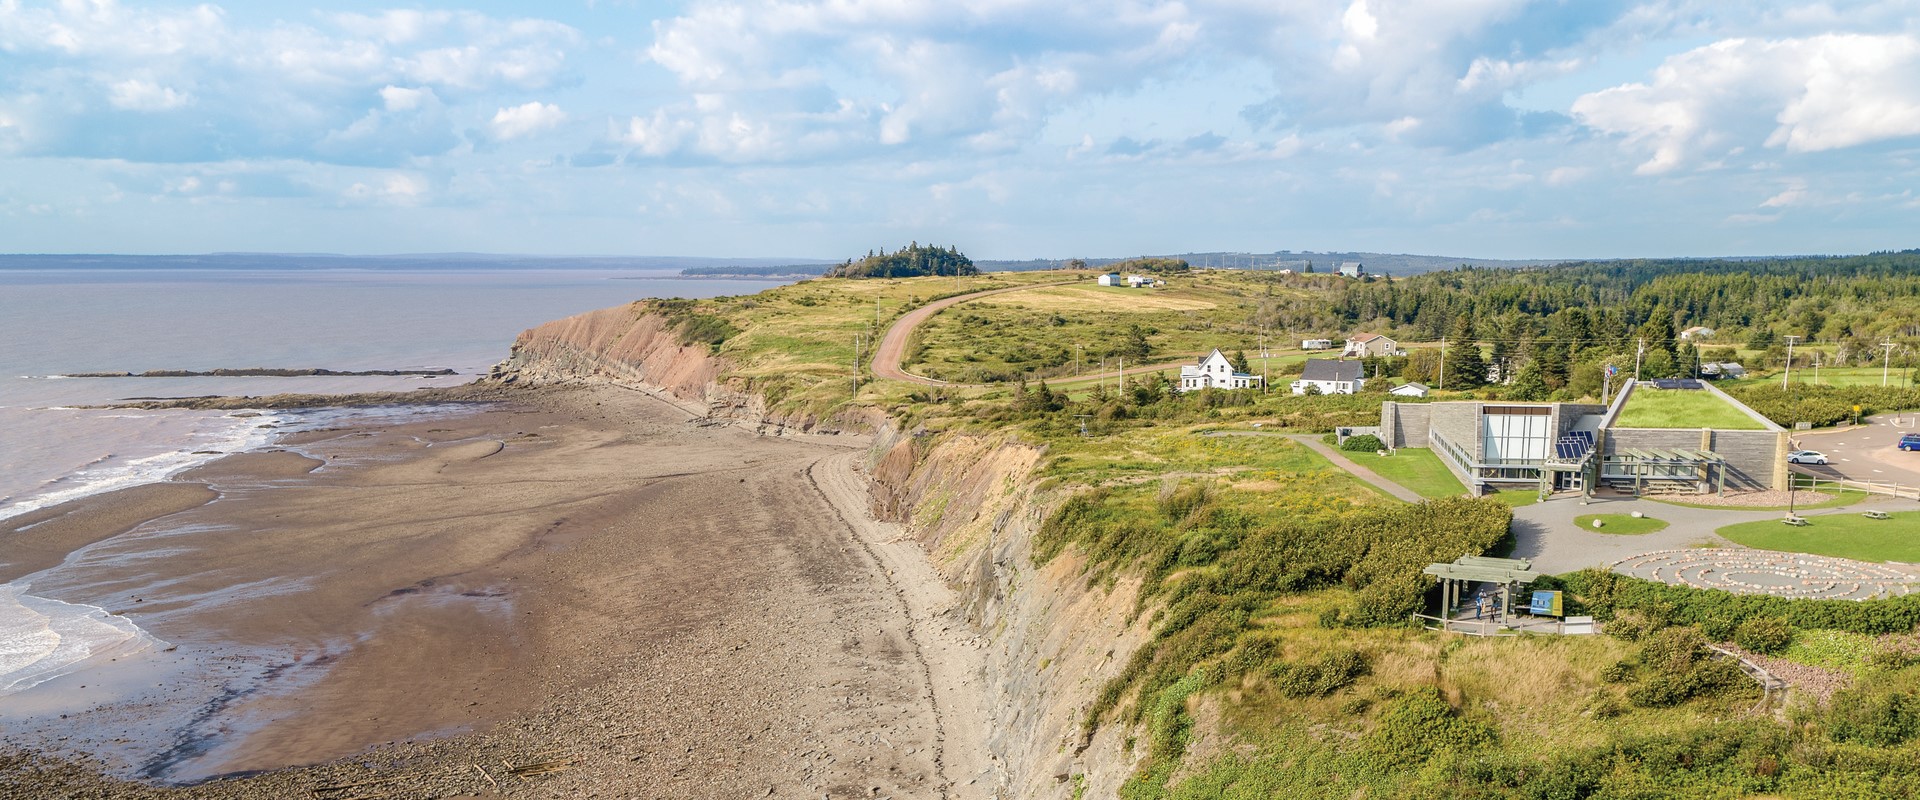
(974, 506)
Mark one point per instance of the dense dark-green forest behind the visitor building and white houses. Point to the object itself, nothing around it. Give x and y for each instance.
(1548, 333)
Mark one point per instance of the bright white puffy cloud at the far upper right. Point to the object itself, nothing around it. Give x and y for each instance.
(1796, 95)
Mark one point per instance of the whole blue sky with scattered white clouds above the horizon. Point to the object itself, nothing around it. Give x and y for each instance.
(1005, 128)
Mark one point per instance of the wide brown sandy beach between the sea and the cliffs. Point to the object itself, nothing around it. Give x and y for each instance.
(573, 594)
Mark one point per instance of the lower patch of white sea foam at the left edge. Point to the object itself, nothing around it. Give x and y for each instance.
(43, 640)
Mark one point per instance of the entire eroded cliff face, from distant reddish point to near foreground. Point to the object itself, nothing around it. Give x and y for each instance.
(971, 502)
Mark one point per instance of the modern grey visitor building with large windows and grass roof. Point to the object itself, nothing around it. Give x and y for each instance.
(1579, 446)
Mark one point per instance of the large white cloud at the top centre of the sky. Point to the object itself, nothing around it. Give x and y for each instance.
(775, 82)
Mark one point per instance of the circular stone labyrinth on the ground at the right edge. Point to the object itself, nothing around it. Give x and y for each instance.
(1769, 573)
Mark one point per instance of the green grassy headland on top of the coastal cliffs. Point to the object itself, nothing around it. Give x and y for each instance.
(1280, 590)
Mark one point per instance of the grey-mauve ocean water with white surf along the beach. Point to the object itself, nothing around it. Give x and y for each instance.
(180, 319)
